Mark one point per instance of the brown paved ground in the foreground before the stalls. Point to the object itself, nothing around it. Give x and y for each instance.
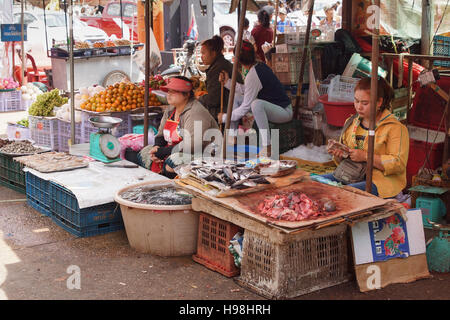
(35, 255)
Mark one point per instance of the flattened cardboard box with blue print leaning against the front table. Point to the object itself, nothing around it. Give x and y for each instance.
(389, 250)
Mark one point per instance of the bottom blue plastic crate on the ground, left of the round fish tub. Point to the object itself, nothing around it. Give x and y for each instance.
(89, 231)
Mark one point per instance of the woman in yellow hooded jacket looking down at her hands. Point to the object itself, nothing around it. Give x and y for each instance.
(391, 141)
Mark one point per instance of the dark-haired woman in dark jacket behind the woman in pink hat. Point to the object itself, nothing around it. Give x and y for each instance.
(212, 56)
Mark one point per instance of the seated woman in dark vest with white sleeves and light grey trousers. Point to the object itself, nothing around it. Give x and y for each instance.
(263, 95)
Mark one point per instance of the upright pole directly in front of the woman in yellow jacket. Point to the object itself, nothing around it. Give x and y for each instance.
(373, 97)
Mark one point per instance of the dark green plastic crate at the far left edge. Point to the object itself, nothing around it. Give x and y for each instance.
(11, 174)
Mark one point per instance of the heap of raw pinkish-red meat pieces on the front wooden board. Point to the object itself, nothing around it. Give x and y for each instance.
(295, 206)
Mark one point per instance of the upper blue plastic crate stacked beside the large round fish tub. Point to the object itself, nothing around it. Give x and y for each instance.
(64, 204)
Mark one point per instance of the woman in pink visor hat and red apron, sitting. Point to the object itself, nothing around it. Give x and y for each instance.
(170, 149)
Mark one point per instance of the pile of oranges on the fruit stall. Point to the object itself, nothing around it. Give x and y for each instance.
(119, 97)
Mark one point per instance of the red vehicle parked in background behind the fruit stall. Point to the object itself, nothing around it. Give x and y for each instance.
(110, 20)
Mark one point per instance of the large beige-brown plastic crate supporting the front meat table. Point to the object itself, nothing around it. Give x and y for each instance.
(298, 264)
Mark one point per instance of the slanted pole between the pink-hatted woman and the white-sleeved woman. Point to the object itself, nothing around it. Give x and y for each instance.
(234, 78)
